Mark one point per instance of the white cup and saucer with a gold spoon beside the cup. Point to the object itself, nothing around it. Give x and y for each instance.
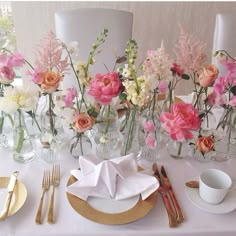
(213, 191)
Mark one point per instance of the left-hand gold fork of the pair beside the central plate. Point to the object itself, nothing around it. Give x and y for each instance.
(45, 187)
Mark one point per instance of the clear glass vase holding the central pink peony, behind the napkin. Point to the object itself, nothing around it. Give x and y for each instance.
(107, 135)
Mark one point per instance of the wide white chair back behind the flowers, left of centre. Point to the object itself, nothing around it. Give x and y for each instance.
(85, 24)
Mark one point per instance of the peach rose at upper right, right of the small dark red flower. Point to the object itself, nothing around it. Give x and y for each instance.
(209, 74)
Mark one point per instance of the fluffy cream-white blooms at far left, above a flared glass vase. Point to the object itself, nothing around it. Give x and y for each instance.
(18, 98)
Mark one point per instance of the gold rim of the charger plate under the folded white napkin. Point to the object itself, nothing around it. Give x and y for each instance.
(141, 209)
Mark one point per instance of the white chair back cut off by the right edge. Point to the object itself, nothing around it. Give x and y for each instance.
(224, 36)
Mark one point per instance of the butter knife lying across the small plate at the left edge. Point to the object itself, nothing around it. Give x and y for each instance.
(10, 187)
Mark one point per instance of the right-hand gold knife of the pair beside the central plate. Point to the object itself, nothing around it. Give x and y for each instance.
(168, 187)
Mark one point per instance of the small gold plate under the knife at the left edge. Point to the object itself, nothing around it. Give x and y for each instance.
(19, 195)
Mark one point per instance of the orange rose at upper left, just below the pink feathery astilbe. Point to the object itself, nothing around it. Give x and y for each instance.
(50, 81)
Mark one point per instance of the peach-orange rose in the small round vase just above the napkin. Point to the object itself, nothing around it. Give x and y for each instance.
(83, 122)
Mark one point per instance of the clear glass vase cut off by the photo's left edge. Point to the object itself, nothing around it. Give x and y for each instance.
(6, 130)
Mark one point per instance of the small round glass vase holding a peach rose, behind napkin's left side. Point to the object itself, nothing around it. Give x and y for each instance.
(80, 145)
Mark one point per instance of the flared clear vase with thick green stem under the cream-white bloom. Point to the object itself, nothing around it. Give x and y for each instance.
(23, 150)
